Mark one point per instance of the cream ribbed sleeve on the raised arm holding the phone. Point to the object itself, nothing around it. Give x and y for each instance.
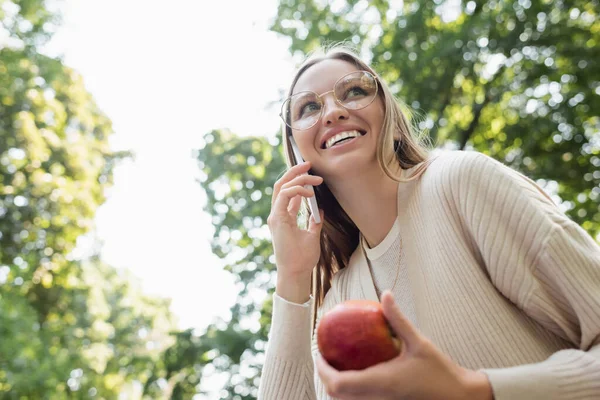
(289, 371)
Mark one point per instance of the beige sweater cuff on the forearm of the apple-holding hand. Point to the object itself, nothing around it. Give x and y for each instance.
(566, 375)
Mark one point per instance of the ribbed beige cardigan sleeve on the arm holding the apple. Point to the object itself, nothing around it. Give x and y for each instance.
(544, 263)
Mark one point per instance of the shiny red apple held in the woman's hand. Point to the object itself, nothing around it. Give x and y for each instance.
(355, 335)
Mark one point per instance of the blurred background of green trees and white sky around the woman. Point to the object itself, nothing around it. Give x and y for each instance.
(139, 144)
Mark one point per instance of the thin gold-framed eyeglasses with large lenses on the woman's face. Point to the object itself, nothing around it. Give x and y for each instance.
(353, 91)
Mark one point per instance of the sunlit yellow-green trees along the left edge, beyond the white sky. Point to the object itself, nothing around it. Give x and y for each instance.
(69, 328)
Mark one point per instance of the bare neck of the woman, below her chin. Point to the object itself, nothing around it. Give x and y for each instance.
(370, 200)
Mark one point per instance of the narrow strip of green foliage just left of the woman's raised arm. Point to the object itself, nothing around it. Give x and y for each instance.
(239, 174)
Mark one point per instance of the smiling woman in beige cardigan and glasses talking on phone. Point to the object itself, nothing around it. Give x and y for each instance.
(494, 291)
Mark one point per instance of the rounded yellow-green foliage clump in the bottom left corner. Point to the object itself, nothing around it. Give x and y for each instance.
(95, 340)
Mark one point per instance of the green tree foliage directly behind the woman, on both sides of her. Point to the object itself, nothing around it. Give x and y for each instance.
(518, 80)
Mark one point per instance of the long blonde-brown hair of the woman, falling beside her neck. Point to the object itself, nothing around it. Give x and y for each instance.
(398, 141)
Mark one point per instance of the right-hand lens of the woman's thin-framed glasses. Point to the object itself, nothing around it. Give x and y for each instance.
(356, 90)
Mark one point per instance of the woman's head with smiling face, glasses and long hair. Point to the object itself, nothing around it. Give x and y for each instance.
(351, 105)
